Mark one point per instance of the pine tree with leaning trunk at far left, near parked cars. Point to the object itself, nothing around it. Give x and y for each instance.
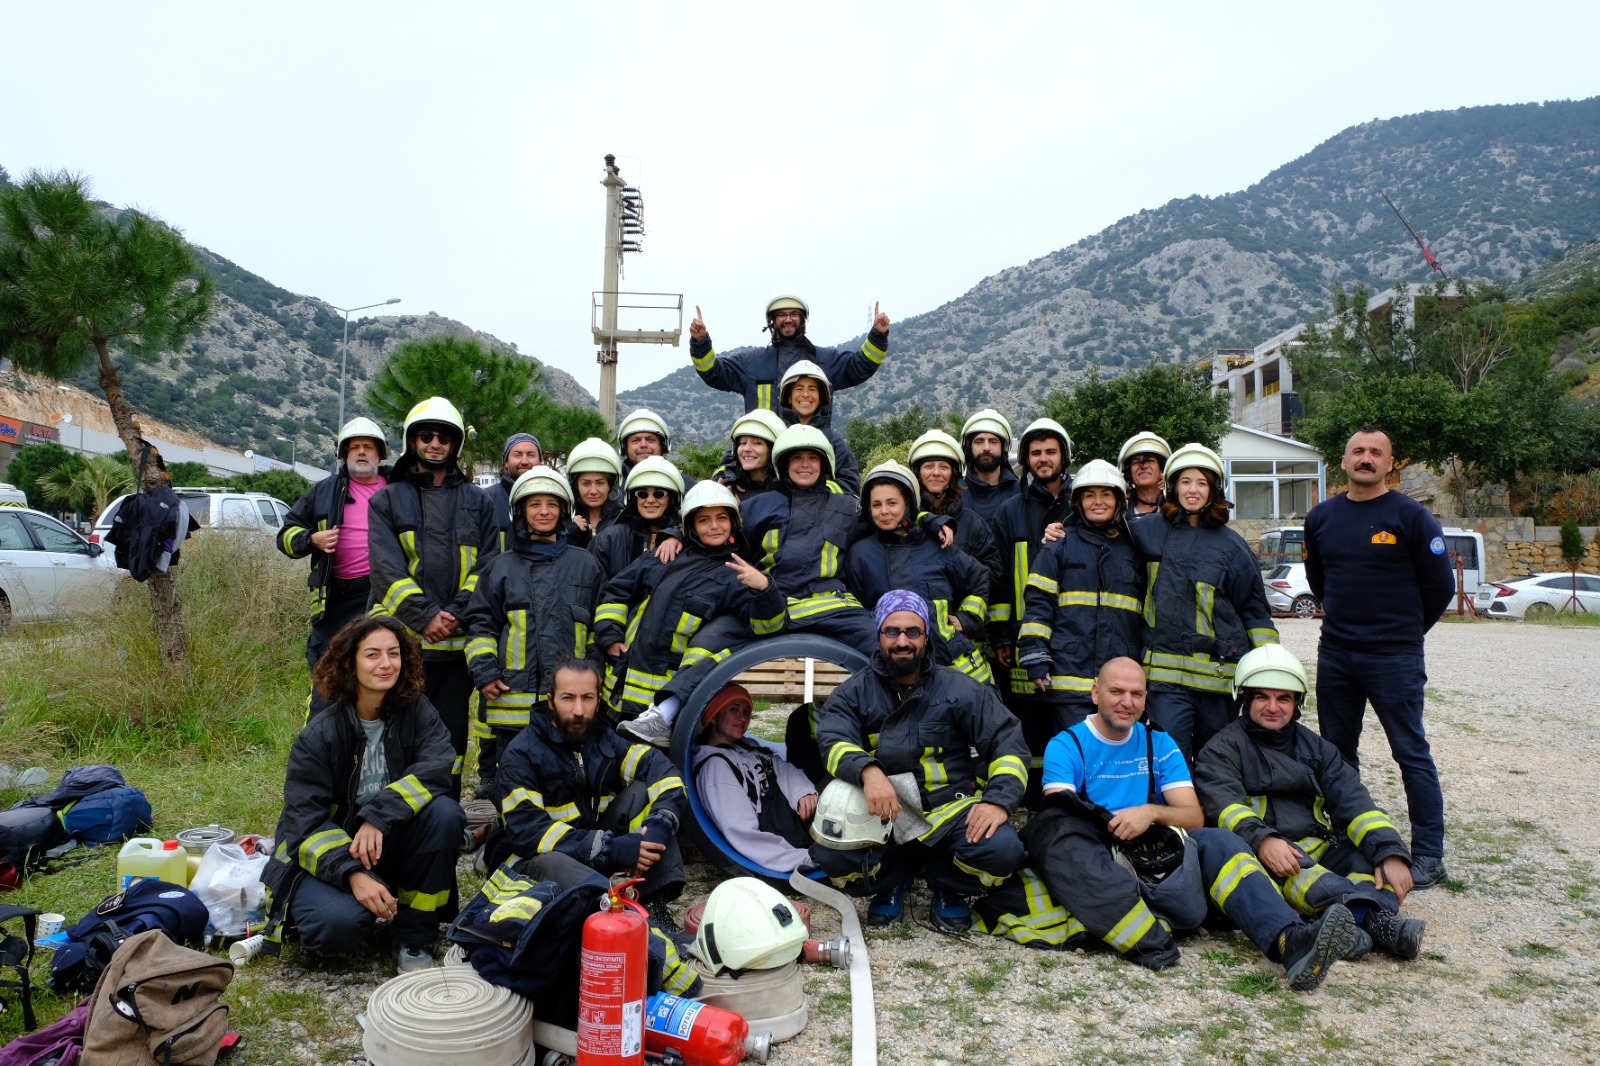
(78, 286)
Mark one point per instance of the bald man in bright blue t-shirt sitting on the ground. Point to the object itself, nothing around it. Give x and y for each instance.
(1108, 782)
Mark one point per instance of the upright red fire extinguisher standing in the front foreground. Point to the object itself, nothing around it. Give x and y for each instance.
(612, 984)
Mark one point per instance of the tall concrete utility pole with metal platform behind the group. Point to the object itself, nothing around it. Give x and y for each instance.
(625, 231)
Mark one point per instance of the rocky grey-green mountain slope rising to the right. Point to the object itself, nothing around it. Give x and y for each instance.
(1498, 191)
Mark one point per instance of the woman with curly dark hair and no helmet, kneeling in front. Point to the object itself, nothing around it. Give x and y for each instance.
(369, 832)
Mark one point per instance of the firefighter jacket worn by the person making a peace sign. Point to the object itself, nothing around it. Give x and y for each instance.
(657, 611)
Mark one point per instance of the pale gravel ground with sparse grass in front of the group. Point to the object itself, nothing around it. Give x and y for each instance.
(1511, 968)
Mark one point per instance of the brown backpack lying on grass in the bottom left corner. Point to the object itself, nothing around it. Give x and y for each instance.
(158, 1004)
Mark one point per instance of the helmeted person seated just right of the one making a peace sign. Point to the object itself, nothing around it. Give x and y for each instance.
(801, 534)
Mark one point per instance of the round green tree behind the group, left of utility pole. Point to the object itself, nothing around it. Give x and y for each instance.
(497, 395)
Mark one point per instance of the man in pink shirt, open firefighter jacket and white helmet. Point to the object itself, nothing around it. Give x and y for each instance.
(329, 524)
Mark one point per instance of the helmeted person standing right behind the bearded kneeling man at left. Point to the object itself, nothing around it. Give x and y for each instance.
(534, 609)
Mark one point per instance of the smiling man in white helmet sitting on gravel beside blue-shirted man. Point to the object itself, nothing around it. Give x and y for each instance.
(1303, 809)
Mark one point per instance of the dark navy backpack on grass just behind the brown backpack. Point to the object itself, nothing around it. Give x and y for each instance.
(143, 905)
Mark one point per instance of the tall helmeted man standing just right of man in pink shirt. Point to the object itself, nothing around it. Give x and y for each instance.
(431, 534)
